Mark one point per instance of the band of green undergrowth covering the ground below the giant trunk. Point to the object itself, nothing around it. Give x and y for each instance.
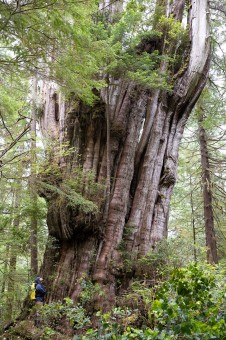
(189, 304)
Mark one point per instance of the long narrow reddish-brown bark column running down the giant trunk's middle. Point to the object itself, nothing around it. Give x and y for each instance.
(120, 197)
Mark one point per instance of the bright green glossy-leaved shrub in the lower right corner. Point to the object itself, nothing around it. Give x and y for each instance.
(191, 304)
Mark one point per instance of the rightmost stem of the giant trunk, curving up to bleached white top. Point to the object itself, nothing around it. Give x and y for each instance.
(148, 225)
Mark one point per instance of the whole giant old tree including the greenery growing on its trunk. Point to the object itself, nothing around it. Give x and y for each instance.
(123, 150)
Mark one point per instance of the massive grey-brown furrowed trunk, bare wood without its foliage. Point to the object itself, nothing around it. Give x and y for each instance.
(129, 140)
